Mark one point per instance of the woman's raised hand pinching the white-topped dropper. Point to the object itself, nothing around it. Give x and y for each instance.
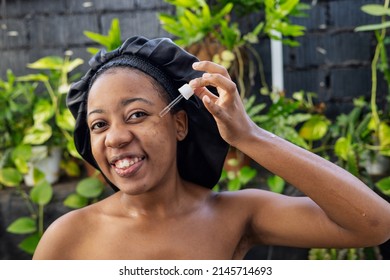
(227, 108)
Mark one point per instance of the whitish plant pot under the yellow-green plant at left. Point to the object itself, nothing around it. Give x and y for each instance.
(46, 159)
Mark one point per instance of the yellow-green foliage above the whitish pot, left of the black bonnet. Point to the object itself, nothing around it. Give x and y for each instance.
(53, 123)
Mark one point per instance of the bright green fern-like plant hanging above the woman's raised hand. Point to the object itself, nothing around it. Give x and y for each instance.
(210, 32)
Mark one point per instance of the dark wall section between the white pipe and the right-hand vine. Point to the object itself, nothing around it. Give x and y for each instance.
(333, 60)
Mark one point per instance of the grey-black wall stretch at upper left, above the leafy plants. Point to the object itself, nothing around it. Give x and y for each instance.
(51, 27)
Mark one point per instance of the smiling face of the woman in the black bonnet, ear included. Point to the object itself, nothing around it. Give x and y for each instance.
(134, 148)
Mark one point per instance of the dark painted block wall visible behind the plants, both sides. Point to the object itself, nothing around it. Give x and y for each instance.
(333, 60)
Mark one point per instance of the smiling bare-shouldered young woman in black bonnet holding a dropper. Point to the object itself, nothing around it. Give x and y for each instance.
(163, 169)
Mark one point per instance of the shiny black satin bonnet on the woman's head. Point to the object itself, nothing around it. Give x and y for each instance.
(200, 156)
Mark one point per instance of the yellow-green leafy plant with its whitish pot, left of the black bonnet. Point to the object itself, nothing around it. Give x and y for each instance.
(50, 136)
